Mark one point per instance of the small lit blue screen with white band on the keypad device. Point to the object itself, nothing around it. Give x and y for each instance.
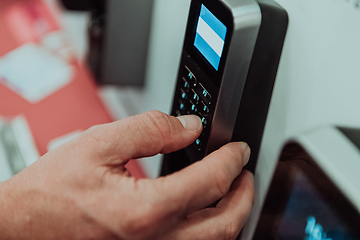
(210, 37)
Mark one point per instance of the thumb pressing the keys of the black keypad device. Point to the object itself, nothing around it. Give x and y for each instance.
(142, 135)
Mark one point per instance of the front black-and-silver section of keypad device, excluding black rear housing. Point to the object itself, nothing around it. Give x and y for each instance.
(219, 42)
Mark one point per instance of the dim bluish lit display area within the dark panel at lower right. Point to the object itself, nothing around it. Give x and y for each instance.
(309, 216)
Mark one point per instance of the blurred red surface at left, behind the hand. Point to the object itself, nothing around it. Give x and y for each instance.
(75, 106)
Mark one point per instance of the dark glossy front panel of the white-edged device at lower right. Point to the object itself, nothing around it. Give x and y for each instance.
(304, 204)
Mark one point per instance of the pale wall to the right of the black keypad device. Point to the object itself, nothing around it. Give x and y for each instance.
(318, 80)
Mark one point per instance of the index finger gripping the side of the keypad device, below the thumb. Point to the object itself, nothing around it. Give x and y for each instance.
(206, 181)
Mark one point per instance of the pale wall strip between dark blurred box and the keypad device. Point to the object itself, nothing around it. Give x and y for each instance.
(166, 40)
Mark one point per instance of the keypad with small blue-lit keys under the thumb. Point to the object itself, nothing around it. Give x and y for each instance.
(194, 99)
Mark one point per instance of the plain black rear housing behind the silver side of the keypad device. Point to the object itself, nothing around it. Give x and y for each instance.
(259, 86)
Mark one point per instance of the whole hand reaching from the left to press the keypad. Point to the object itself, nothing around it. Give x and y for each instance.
(81, 190)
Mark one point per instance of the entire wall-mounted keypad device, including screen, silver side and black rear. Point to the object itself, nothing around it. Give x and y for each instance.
(218, 70)
